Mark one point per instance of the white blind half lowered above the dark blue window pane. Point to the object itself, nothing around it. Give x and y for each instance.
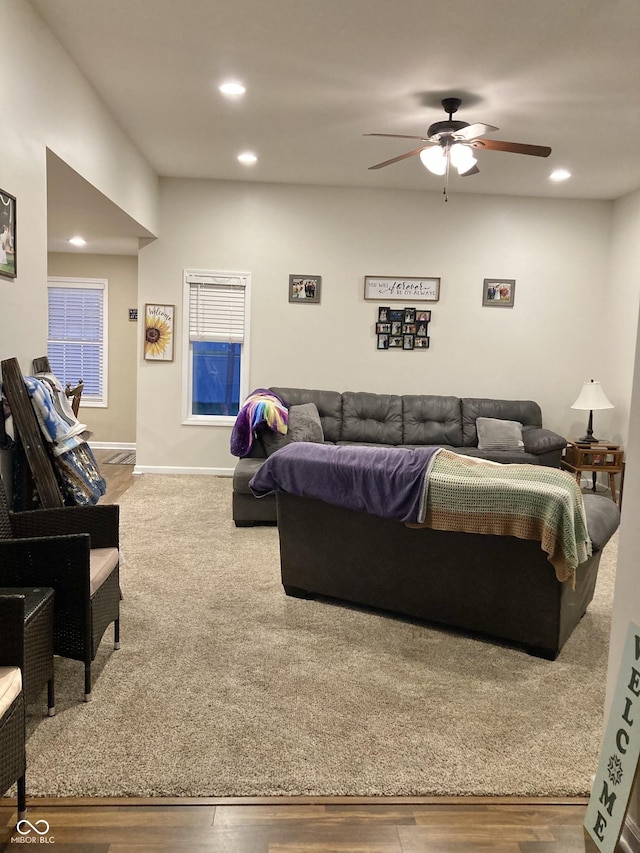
(216, 309)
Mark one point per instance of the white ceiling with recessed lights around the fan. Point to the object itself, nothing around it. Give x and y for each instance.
(321, 73)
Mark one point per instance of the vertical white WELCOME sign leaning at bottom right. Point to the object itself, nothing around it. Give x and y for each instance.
(620, 750)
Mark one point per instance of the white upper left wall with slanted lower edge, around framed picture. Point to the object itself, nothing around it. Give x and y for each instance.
(47, 103)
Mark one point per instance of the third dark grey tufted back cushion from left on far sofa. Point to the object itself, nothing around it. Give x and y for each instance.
(430, 419)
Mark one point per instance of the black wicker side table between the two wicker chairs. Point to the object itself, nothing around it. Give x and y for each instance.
(34, 651)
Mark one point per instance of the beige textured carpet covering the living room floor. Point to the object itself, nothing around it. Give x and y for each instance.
(225, 686)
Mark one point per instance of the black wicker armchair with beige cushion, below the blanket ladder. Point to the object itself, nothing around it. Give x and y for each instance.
(75, 551)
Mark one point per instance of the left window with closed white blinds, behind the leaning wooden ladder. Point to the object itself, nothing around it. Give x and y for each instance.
(77, 335)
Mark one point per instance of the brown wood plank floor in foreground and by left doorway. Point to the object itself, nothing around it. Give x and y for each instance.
(295, 825)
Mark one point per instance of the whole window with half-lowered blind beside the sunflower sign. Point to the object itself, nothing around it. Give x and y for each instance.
(216, 307)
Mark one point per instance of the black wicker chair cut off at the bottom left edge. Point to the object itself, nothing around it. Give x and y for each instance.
(13, 760)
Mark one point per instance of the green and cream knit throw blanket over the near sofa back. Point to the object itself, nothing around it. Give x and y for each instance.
(527, 501)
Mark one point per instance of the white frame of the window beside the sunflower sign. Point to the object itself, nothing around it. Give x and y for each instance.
(213, 277)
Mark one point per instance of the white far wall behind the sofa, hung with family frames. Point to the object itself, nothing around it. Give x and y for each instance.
(542, 349)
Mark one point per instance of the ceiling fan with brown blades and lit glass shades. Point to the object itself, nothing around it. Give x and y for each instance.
(454, 142)
